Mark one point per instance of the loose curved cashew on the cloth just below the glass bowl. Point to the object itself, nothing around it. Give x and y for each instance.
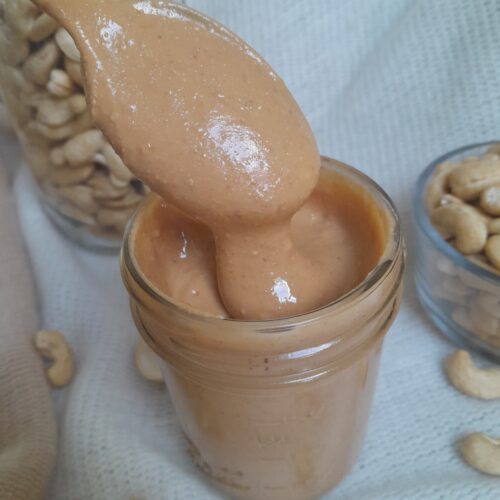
(472, 381)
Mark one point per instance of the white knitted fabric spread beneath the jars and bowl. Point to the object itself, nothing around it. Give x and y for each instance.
(387, 85)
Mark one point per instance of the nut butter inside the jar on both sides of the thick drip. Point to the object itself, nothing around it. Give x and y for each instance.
(339, 227)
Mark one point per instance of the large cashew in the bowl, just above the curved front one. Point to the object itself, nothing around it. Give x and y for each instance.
(469, 179)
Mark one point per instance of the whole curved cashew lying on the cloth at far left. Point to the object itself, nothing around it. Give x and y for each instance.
(52, 345)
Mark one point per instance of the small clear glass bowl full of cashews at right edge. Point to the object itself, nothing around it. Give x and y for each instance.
(457, 213)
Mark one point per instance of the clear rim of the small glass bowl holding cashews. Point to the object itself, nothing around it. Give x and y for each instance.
(423, 221)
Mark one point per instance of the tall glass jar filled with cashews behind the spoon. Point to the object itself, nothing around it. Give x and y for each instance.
(84, 185)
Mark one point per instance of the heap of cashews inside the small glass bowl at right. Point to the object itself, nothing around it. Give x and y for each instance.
(463, 203)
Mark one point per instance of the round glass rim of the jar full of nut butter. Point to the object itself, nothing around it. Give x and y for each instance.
(393, 248)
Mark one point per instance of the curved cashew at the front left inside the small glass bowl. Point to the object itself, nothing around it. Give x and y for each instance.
(463, 223)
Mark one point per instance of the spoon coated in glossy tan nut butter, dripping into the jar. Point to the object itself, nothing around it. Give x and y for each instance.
(201, 119)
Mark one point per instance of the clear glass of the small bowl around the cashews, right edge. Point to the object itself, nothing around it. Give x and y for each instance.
(461, 295)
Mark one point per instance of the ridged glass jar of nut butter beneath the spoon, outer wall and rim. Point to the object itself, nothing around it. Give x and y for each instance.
(274, 409)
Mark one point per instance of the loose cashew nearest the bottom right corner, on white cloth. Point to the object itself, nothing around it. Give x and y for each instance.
(482, 453)
